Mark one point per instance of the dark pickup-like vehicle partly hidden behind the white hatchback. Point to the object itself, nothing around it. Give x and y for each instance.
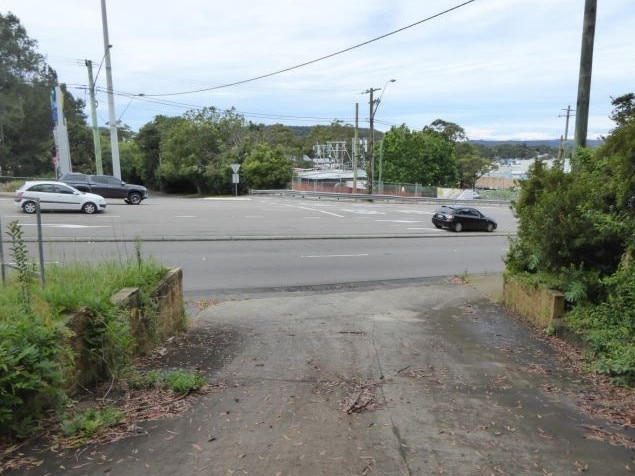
(107, 186)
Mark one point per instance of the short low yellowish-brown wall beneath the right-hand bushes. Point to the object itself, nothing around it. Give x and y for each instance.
(542, 306)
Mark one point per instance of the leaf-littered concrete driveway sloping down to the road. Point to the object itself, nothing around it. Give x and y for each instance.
(422, 379)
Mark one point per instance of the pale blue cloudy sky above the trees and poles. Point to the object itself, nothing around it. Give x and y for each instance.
(501, 69)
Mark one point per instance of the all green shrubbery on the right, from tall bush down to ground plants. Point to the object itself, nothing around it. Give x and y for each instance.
(575, 234)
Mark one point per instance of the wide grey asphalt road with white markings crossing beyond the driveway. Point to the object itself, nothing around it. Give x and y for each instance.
(252, 243)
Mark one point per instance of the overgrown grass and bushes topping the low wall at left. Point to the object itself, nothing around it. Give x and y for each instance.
(36, 360)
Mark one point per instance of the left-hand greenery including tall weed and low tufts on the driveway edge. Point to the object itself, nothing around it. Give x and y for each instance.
(37, 356)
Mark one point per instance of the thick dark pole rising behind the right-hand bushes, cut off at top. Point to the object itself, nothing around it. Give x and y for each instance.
(584, 81)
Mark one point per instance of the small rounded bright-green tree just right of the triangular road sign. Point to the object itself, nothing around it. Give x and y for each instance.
(267, 168)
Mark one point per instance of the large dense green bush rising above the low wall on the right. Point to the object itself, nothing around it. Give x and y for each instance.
(577, 227)
